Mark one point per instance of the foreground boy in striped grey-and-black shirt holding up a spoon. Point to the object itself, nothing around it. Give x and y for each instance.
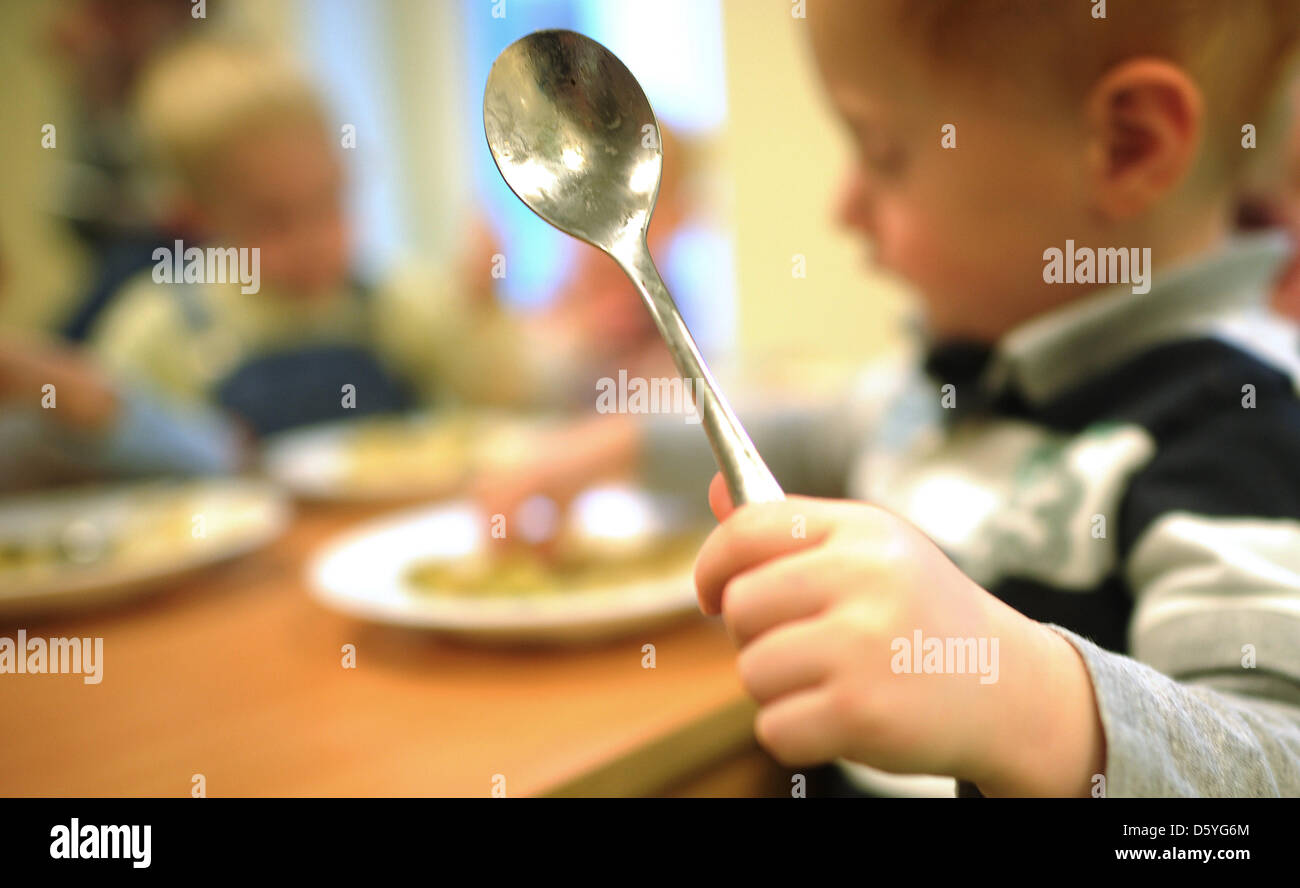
(1080, 573)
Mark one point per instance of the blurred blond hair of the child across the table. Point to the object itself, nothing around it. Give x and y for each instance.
(200, 98)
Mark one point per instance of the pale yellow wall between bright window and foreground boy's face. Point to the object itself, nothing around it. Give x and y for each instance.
(783, 157)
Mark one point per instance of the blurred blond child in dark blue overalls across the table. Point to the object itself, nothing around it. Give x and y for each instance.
(257, 164)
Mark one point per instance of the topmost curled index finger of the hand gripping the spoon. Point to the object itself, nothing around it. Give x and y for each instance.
(757, 534)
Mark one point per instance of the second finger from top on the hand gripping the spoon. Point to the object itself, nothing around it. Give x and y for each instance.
(791, 588)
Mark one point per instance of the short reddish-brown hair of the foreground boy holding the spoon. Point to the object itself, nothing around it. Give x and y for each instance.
(1237, 51)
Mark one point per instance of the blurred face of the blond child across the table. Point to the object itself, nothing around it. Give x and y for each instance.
(281, 189)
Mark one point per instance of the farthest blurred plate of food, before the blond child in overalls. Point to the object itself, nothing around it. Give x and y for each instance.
(319, 464)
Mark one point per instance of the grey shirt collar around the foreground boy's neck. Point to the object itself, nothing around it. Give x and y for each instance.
(1069, 345)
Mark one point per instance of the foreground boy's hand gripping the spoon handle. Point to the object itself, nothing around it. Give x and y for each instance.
(821, 597)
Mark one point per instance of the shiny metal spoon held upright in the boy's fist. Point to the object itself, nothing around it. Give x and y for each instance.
(577, 141)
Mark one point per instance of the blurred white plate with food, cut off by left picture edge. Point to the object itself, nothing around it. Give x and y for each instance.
(154, 531)
